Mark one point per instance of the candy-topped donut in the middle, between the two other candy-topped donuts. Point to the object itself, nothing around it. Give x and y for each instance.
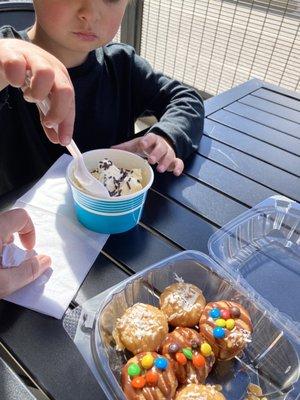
(190, 354)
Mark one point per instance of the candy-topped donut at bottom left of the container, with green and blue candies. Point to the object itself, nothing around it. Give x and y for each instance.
(149, 376)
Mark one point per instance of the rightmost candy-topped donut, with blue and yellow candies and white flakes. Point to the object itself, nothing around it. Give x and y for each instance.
(227, 327)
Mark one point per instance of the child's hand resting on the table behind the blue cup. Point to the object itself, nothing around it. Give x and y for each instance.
(157, 149)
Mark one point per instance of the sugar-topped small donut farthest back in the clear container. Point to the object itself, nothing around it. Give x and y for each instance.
(183, 304)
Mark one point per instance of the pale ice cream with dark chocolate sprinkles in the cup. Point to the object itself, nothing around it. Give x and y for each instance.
(118, 181)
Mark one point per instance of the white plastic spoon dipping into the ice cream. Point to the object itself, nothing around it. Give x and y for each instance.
(81, 173)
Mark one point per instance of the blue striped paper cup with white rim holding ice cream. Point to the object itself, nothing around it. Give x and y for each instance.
(113, 214)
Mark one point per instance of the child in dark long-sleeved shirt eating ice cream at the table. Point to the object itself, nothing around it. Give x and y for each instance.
(109, 85)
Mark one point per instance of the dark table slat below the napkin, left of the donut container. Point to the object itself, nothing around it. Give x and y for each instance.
(42, 346)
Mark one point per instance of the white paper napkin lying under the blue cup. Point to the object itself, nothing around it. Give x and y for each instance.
(72, 248)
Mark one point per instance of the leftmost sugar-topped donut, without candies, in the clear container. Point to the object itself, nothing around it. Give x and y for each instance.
(141, 328)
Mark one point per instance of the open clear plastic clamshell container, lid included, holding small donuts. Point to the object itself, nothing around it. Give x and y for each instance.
(261, 250)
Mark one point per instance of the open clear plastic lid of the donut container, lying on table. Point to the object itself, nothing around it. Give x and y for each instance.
(261, 248)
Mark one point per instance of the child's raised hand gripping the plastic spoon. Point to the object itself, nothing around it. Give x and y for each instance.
(49, 78)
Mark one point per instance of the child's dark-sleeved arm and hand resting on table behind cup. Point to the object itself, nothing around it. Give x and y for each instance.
(178, 109)
